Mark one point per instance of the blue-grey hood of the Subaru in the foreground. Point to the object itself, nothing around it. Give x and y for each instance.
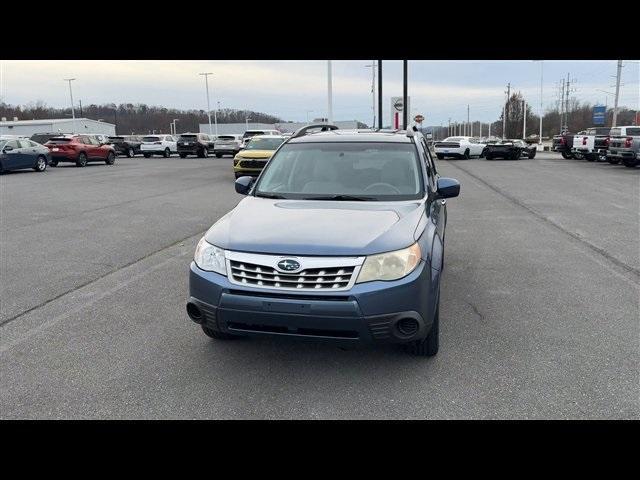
(314, 227)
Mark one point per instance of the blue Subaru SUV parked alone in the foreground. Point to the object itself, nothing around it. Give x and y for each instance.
(340, 238)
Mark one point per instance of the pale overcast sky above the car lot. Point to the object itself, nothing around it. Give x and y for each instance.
(288, 89)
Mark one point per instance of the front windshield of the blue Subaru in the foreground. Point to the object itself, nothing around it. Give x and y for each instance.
(366, 171)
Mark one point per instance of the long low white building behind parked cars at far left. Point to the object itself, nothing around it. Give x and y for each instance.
(55, 125)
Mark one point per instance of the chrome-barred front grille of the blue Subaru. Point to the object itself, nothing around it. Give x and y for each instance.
(314, 278)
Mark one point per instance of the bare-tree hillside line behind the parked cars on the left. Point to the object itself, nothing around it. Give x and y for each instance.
(136, 118)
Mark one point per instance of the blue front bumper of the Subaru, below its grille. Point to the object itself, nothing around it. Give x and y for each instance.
(367, 313)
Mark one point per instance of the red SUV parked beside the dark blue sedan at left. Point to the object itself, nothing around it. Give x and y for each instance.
(79, 149)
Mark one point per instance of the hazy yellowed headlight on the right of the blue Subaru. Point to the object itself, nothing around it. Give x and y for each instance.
(390, 265)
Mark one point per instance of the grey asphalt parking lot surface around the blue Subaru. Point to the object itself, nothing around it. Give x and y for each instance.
(539, 309)
